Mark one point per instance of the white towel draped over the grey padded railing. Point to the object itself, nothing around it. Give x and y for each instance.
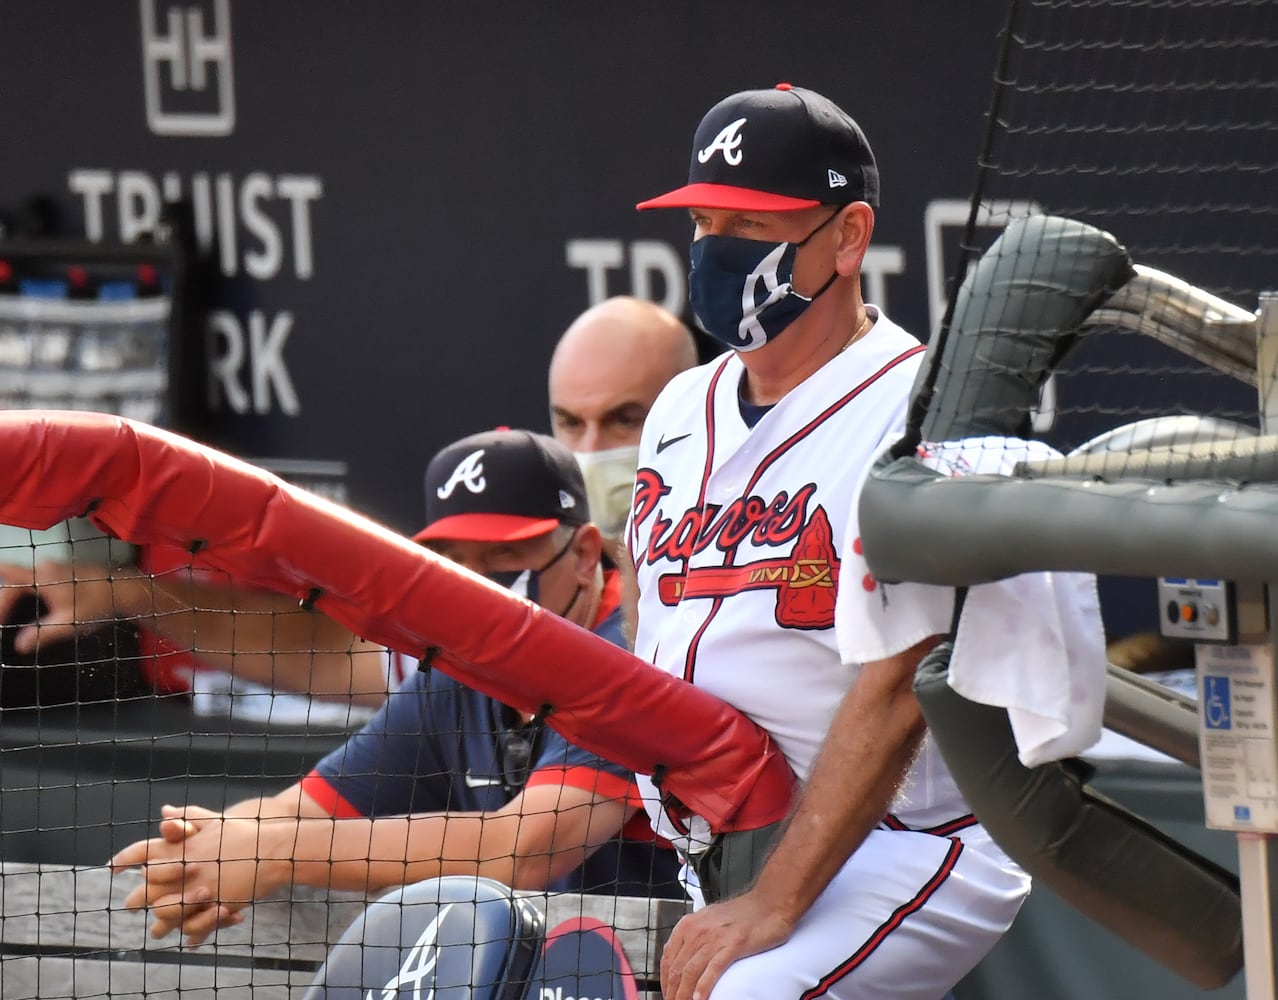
(1033, 644)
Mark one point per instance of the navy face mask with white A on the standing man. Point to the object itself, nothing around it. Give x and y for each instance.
(742, 291)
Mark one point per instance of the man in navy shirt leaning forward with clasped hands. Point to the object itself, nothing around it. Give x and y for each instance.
(443, 781)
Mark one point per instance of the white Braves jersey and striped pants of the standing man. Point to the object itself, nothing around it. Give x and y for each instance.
(739, 538)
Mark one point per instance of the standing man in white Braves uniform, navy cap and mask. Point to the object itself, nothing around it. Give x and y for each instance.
(881, 884)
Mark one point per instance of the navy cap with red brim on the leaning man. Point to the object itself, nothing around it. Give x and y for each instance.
(503, 487)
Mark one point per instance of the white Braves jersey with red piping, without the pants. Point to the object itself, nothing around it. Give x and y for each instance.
(739, 535)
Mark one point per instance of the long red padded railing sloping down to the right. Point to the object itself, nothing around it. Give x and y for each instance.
(149, 487)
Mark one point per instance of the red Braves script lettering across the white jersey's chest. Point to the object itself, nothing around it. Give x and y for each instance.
(765, 522)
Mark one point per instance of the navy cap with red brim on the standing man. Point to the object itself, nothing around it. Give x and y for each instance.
(775, 152)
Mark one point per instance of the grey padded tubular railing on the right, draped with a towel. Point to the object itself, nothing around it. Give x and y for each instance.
(1202, 506)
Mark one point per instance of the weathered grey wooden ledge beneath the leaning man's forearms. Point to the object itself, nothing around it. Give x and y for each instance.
(62, 926)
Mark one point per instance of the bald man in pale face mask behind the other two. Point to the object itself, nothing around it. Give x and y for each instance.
(608, 369)
